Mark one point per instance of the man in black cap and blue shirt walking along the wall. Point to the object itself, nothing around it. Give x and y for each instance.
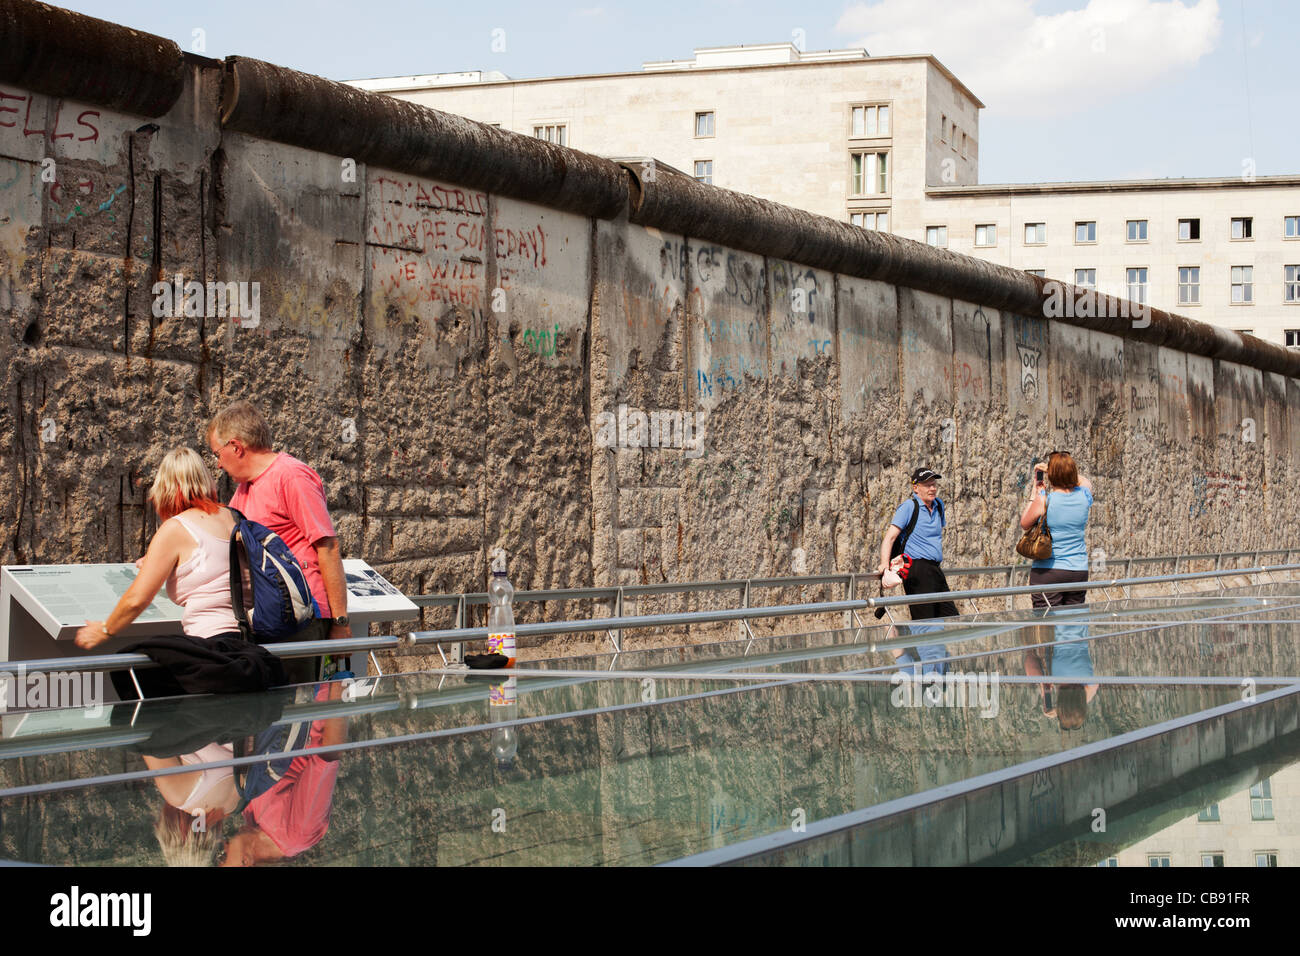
(917, 531)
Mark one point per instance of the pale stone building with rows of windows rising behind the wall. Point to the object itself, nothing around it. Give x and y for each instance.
(892, 144)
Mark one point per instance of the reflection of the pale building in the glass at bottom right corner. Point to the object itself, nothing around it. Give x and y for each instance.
(1254, 828)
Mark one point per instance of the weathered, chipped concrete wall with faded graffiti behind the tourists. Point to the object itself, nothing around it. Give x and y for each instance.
(444, 356)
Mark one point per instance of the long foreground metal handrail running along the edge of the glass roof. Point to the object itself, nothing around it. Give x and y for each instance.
(614, 625)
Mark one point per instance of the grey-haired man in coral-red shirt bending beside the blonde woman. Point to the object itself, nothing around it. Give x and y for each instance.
(289, 498)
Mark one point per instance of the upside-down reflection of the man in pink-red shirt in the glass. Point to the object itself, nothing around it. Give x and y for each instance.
(293, 816)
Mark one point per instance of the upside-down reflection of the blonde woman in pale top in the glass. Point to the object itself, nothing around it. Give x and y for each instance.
(189, 828)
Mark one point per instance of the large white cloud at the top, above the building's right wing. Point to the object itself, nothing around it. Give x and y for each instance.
(1020, 62)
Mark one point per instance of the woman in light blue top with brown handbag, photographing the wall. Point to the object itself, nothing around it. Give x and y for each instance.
(1067, 496)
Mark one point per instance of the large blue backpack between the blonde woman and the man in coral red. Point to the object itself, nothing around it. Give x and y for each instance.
(281, 602)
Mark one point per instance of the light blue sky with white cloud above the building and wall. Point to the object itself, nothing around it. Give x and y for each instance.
(1073, 89)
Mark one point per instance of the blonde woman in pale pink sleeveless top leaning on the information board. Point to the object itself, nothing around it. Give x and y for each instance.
(190, 553)
